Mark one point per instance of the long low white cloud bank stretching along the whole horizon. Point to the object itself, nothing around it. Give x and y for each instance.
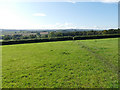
(66, 25)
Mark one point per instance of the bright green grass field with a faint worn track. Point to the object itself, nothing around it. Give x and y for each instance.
(64, 64)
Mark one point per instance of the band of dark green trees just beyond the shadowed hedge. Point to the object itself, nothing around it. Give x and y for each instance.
(56, 34)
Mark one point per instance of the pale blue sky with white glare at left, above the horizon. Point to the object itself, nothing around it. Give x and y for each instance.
(59, 15)
